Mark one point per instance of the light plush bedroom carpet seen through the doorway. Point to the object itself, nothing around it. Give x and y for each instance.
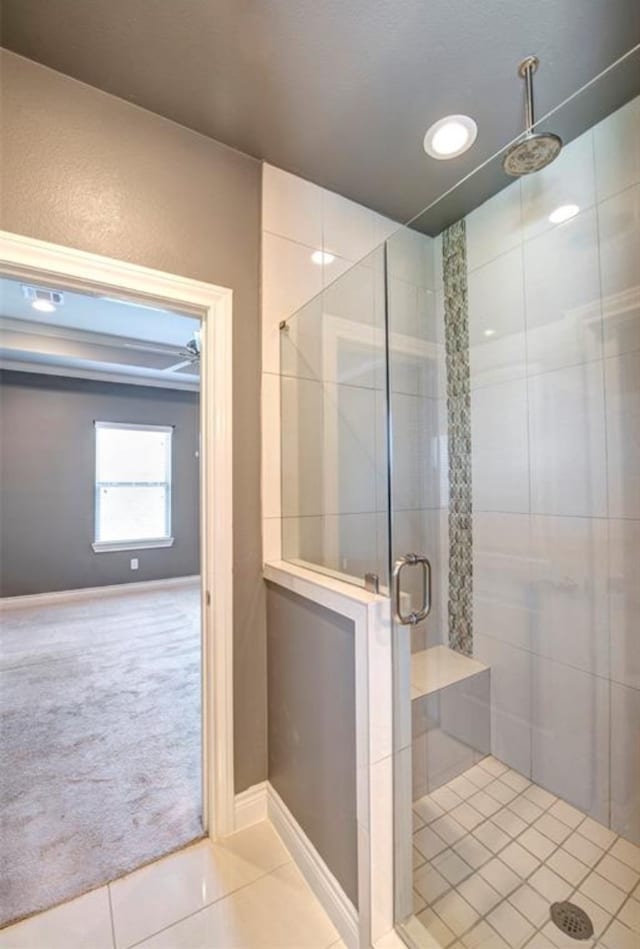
(99, 742)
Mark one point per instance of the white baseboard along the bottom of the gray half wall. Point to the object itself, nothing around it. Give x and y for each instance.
(263, 801)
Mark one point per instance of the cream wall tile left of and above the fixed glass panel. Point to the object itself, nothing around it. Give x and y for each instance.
(299, 218)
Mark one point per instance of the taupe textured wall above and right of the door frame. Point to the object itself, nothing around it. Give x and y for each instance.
(87, 170)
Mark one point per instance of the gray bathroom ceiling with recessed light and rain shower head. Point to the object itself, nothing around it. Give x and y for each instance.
(341, 91)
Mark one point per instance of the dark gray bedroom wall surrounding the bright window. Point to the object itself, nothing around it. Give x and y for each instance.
(47, 466)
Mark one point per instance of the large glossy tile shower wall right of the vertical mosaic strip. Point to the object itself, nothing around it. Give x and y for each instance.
(555, 367)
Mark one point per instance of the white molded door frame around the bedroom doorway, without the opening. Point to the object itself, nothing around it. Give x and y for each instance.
(24, 256)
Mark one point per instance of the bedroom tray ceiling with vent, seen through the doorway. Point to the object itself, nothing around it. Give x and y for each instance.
(96, 337)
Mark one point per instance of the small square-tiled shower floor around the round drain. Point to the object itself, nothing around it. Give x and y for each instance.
(492, 852)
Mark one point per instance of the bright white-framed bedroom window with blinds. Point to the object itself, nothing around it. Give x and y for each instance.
(133, 486)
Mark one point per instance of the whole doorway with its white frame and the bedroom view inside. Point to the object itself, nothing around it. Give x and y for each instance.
(117, 735)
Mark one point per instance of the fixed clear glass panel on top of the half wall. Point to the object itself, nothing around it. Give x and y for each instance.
(333, 411)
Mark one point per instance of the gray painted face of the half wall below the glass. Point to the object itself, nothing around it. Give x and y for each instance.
(312, 726)
